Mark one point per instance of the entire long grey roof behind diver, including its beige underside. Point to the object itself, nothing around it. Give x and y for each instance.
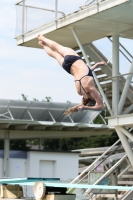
(31, 119)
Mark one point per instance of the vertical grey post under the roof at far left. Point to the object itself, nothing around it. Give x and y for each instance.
(6, 155)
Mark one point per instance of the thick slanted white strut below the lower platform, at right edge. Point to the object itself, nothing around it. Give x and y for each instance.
(125, 144)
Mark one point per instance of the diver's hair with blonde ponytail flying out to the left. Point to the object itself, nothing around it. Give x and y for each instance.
(85, 102)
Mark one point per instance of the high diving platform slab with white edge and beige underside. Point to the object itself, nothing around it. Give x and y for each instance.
(92, 22)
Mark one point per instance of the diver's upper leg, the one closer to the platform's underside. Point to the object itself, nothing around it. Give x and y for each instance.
(57, 47)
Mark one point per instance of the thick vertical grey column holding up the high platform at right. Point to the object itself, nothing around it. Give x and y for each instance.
(115, 72)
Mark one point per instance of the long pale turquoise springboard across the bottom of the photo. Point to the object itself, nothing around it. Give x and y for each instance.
(59, 184)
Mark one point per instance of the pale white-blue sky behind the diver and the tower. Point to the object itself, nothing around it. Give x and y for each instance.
(30, 71)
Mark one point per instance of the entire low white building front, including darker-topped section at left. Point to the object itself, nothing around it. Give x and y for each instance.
(41, 164)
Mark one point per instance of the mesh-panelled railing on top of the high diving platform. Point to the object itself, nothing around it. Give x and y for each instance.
(30, 17)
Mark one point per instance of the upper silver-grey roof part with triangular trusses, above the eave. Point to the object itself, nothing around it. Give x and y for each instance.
(42, 112)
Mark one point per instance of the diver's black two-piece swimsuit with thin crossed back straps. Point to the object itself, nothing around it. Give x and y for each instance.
(67, 63)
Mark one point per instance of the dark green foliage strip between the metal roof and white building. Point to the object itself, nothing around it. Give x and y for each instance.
(68, 144)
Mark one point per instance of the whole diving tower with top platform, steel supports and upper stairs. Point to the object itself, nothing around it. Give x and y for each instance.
(95, 20)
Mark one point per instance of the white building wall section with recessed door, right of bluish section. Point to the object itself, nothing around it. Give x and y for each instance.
(56, 165)
